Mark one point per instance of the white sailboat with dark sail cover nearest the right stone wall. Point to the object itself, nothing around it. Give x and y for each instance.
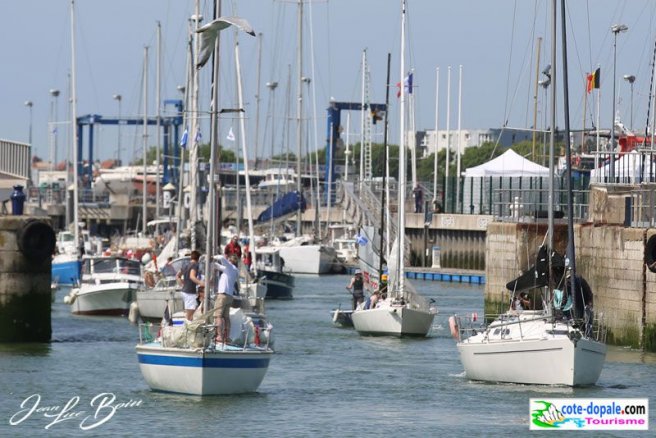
(558, 344)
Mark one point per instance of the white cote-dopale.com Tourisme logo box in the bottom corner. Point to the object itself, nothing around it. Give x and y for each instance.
(589, 414)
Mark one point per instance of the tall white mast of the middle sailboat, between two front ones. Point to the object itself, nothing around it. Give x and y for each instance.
(402, 159)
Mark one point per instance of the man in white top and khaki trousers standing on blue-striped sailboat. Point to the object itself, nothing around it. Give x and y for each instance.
(229, 268)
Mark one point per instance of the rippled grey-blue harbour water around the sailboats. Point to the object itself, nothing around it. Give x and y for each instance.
(323, 381)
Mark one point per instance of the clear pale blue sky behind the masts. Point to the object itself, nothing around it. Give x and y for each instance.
(494, 41)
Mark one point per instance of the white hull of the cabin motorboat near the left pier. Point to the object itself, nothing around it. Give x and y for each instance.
(112, 299)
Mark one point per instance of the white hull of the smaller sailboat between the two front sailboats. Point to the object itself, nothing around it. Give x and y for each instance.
(392, 321)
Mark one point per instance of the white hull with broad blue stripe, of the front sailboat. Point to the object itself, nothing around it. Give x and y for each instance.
(231, 370)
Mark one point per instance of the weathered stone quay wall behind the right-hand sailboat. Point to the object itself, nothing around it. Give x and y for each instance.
(610, 257)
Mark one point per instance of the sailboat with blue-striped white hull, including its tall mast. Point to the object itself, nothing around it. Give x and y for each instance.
(185, 358)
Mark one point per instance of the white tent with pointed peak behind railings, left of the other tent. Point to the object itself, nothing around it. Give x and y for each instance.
(508, 183)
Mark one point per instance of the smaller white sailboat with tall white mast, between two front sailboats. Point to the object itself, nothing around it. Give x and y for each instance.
(403, 312)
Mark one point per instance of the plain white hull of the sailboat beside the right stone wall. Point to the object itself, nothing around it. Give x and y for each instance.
(546, 361)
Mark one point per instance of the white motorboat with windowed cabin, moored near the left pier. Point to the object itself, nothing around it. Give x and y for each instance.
(108, 286)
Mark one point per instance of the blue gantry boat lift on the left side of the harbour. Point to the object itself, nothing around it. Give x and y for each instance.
(171, 173)
